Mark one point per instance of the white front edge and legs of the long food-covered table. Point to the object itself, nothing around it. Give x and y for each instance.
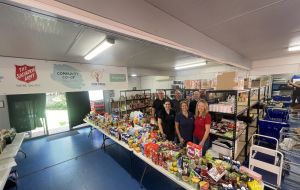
(143, 158)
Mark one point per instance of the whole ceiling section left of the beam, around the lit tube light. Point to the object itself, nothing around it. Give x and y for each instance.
(28, 34)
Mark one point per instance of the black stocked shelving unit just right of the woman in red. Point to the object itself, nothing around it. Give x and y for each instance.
(238, 104)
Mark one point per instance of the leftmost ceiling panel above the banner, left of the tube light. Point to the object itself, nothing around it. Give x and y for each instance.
(24, 34)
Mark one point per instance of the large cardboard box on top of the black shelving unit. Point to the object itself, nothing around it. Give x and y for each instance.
(230, 81)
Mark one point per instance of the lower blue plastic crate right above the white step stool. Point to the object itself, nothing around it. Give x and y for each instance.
(271, 128)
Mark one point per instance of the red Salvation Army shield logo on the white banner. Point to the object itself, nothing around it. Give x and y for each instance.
(26, 73)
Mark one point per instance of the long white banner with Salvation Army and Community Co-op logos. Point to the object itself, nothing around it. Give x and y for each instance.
(23, 76)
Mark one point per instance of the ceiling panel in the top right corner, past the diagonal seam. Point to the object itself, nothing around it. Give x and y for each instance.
(263, 34)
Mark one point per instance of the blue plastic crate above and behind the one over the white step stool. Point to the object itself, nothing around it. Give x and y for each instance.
(277, 114)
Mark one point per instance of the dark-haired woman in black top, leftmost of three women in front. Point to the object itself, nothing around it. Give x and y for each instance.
(166, 121)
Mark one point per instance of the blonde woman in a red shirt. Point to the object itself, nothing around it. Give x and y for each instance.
(202, 125)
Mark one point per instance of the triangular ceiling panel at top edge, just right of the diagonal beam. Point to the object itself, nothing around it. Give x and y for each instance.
(201, 14)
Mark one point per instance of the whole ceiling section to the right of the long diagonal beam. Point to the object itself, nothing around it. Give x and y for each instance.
(256, 29)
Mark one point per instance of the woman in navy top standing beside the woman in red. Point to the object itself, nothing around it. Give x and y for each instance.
(184, 124)
